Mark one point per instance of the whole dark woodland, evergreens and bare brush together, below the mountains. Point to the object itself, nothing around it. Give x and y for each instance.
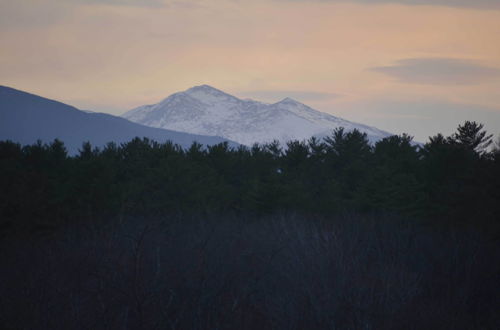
(319, 234)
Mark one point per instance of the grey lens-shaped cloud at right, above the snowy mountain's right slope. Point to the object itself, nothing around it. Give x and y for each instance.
(439, 71)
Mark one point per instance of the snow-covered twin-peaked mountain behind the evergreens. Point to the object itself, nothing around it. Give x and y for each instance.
(209, 111)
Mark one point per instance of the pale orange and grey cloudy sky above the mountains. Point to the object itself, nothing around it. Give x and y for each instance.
(415, 66)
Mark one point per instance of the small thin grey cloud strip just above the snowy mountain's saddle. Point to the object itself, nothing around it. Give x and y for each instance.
(277, 95)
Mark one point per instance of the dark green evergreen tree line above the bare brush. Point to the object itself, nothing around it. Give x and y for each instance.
(454, 179)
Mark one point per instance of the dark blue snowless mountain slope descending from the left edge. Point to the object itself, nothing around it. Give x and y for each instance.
(25, 118)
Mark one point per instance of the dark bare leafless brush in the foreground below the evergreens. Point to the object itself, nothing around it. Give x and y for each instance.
(233, 272)
